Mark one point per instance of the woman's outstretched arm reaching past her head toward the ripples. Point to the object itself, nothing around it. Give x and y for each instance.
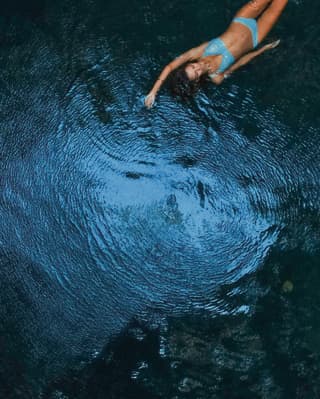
(190, 55)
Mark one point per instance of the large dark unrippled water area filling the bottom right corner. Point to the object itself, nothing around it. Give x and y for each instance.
(267, 353)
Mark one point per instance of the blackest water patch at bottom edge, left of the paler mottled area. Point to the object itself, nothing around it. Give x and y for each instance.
(110, 375)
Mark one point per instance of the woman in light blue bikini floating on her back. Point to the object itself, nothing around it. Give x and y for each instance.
(220, 57)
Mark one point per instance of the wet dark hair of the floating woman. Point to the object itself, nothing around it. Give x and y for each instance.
(181, 86)
